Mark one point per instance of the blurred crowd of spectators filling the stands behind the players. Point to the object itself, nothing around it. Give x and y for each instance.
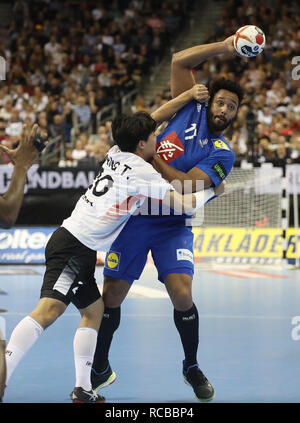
(67, 62)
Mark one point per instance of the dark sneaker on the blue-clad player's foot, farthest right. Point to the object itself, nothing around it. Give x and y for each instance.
(193, 376)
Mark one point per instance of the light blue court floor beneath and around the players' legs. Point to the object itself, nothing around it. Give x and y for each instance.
(249, 338)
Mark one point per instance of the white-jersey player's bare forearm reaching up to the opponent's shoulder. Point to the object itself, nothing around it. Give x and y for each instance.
(166, 111)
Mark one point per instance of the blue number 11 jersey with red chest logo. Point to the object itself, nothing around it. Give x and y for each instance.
(186, 143)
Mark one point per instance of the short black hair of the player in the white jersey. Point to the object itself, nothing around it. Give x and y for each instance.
(128, 130)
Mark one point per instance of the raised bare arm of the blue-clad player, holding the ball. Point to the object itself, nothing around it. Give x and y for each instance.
(184, 61)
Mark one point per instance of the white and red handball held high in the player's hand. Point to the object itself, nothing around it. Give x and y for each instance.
(249, 41)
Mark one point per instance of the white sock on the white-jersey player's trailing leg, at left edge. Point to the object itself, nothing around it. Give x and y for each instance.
(22, 339)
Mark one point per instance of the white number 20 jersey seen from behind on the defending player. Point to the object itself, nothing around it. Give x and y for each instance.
(122, 185)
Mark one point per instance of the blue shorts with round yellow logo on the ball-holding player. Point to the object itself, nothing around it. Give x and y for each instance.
(167, 237)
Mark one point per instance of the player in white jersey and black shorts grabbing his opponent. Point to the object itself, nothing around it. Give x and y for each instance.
(124, 182)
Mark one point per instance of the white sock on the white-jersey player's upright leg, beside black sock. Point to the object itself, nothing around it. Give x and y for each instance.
(85, 341)
